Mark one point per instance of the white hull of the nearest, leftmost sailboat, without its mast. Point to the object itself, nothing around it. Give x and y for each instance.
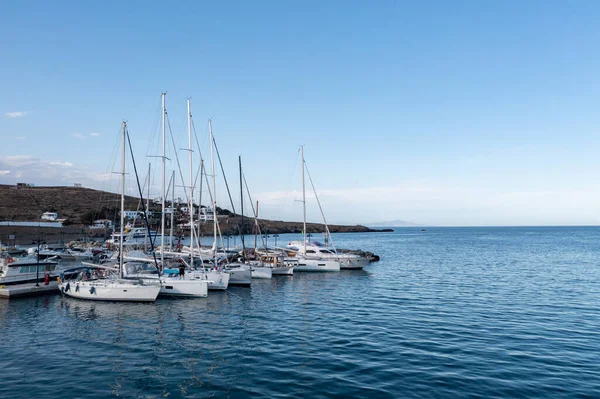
(110, 290)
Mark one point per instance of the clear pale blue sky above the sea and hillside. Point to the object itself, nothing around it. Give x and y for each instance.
(462, 113)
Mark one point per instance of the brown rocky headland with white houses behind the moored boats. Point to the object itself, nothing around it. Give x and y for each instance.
(79, 207)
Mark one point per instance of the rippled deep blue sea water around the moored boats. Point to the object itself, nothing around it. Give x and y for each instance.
(449, 312)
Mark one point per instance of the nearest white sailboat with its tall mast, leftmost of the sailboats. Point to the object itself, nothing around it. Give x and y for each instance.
(101, 283)
